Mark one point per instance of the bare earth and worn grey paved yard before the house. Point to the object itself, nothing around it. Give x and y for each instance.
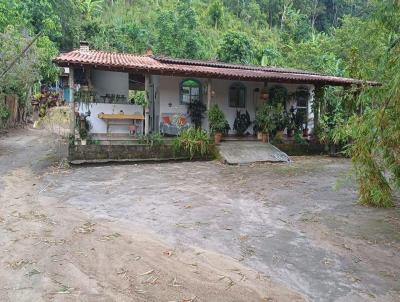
(192, 231)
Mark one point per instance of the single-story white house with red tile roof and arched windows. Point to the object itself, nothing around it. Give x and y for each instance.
(110, 79)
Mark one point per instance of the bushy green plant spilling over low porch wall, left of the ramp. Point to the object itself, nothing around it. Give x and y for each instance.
(192, 141)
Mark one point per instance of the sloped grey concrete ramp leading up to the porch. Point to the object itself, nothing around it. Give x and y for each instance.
(246, 152)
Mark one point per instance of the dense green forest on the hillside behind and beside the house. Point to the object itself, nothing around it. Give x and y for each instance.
(352, 38)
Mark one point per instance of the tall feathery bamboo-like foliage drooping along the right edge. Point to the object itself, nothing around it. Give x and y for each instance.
(373, 136)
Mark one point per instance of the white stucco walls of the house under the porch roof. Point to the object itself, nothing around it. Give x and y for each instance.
(166, 98)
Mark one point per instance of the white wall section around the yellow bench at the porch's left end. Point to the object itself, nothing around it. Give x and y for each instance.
(108, 82)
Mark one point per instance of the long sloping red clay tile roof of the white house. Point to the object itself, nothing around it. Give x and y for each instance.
(194, 68)
